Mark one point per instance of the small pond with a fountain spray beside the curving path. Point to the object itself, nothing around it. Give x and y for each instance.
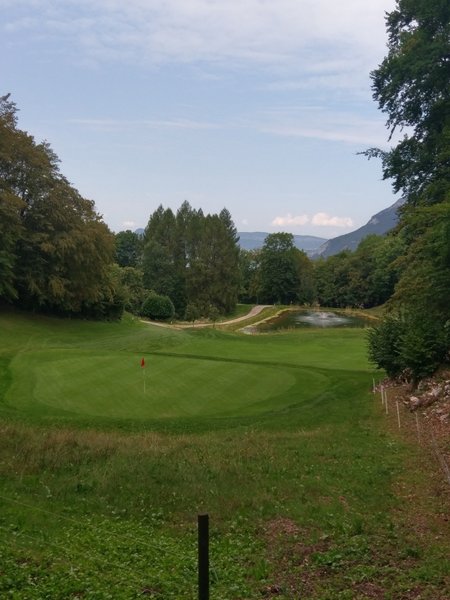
(309, 318)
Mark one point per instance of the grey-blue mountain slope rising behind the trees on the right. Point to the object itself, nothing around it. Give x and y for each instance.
(379, 224)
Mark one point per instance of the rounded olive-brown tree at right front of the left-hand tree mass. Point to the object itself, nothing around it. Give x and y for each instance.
(65, 254)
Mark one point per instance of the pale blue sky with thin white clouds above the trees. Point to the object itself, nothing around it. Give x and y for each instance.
(259, 106)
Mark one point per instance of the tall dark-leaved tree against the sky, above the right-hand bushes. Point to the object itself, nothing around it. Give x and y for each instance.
(412, 87)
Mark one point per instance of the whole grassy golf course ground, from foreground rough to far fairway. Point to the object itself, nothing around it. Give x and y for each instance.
(116, 435)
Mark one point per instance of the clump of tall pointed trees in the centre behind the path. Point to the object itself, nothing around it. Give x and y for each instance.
(192, 258)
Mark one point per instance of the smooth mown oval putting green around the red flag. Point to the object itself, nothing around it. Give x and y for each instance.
(85, 383)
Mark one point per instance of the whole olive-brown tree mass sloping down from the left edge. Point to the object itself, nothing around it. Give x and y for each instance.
(55, 251)
